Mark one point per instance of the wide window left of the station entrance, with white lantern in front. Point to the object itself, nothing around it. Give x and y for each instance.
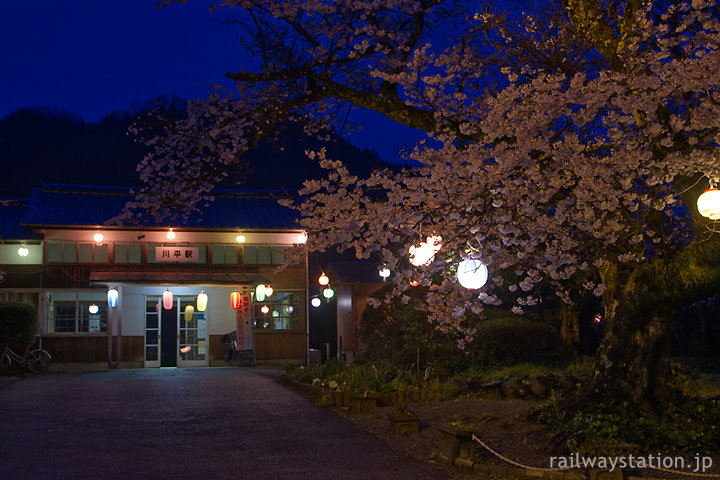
(76, 312)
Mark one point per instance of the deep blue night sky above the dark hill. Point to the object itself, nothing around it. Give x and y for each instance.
(96, 56)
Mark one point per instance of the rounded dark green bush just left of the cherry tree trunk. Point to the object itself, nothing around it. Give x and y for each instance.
(509, 339)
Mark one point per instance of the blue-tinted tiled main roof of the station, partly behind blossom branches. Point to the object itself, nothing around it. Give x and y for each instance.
(65, 205)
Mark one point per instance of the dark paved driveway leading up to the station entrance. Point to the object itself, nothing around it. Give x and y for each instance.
(216, 423)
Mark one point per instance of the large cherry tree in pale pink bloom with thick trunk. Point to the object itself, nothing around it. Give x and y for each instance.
(566, 148)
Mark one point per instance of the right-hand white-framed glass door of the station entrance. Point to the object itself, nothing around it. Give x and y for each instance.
(192, 334)
